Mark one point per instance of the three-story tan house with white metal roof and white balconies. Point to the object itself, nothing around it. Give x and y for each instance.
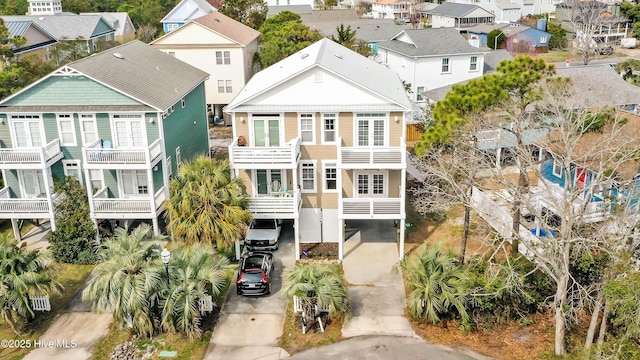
(319, 139)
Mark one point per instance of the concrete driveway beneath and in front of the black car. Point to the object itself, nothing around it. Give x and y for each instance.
(249, 327)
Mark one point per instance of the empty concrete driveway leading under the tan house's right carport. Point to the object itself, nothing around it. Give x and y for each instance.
(376, 290)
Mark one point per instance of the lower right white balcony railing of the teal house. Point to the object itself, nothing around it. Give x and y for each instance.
(102, 204)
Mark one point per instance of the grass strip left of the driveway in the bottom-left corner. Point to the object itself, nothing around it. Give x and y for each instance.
(71, 277)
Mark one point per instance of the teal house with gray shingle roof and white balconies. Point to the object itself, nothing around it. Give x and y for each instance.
(121, 121)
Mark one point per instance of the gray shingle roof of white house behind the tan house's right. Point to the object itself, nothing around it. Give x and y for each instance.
(430, 42)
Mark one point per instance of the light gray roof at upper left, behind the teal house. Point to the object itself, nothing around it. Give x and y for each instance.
(68, 26)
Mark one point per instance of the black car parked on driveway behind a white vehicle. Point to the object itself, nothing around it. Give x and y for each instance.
(254, 273)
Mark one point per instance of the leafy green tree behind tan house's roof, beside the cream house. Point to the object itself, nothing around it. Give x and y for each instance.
(283, 35)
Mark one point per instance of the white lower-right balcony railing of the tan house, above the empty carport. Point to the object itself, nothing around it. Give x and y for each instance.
(371, 208)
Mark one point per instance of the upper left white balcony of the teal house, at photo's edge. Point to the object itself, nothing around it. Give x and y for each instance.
(31, 158)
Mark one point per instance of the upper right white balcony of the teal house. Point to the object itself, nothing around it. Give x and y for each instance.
(98, 157)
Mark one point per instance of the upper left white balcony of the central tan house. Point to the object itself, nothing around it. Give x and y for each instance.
(265, 157)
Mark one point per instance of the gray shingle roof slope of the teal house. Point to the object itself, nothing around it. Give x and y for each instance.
(149, 75)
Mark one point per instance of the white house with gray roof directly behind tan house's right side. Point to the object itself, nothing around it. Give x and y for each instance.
(428, 59)
